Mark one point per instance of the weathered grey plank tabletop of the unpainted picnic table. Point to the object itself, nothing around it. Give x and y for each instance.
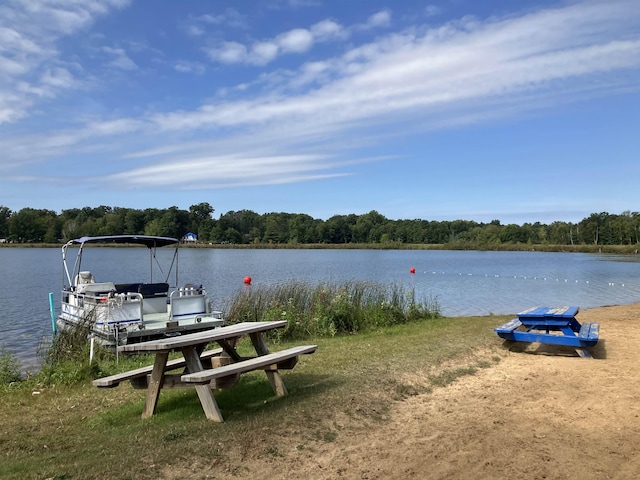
(198, 338)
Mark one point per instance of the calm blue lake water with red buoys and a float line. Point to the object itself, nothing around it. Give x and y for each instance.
(464, 283)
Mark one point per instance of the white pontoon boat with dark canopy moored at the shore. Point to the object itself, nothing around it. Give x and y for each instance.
(120, 313)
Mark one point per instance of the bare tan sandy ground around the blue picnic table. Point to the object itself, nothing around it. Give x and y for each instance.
(541, 413)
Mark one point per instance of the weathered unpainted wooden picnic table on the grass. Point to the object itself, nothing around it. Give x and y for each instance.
(203, 379)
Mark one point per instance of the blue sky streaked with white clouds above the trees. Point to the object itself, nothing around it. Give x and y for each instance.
(520, 111)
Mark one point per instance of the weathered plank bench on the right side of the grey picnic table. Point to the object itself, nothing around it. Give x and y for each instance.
(284, 359)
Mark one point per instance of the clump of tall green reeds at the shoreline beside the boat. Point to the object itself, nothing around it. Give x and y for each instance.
(327, 309)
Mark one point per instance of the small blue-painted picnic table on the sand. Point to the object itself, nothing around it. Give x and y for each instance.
(551, 325)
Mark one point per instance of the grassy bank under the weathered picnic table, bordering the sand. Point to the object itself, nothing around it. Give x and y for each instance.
(55, 430)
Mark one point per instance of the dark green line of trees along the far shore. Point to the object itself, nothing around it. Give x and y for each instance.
(30, 225)
